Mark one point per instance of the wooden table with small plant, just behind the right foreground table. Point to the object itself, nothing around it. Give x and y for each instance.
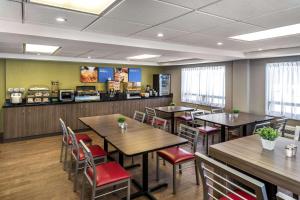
(225, 120)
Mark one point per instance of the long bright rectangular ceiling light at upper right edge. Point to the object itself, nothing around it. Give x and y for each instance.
(270, 33)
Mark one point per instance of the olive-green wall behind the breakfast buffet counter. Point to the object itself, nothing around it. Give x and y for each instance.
(28, 73)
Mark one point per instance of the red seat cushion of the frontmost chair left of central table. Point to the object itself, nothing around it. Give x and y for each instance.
(108, 173)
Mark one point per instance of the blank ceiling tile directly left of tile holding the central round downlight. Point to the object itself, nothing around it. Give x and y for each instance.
(115, 27)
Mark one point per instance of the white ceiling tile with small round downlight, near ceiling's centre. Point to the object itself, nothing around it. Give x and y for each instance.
(152, 33)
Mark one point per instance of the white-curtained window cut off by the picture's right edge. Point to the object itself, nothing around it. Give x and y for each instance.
(283, 89)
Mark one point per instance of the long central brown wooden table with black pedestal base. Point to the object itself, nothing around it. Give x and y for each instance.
(138, 139)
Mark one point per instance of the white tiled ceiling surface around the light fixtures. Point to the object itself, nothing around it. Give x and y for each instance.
(191, 28)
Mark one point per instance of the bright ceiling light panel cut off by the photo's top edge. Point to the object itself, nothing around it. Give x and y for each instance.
(88, 6)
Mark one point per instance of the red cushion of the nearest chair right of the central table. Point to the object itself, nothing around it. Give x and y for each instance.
(175, 155)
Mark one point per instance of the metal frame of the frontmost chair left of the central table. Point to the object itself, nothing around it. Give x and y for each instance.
(89, 163)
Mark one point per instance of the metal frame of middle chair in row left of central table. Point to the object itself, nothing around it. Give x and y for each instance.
(75, 157)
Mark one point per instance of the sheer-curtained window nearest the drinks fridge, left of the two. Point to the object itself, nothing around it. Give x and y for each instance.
(203, 85)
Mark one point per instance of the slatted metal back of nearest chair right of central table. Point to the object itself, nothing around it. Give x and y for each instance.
(191, 134)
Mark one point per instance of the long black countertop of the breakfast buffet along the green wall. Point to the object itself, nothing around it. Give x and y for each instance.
(10, 105)
